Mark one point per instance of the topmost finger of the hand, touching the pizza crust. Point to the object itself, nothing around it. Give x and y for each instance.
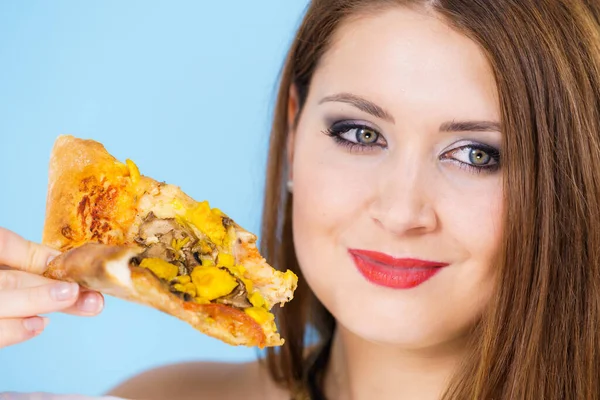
(17, 252)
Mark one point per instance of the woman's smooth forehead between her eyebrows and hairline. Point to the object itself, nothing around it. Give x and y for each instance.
(409, 61)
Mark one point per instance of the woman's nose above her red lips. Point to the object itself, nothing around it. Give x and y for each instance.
(403, 204)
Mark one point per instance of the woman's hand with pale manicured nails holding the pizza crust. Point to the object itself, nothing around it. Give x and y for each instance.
(24, 293)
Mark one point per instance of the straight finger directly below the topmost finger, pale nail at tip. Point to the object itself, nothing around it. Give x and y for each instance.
(38, 300)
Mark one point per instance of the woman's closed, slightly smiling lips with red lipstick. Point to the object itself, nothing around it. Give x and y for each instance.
(396, 273)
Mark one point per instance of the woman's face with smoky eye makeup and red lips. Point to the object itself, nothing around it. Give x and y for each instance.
(397, 180)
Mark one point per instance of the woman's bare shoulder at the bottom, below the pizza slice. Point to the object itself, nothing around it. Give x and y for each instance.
(203, 380)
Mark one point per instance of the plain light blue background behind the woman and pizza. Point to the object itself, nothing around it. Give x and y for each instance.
(185, 89)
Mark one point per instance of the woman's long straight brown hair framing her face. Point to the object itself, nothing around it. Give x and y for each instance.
(540, 335)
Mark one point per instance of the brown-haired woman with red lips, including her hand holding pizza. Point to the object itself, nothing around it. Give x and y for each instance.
(433, 181)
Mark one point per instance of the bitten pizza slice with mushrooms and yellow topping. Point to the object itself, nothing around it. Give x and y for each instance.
(127, 235)
